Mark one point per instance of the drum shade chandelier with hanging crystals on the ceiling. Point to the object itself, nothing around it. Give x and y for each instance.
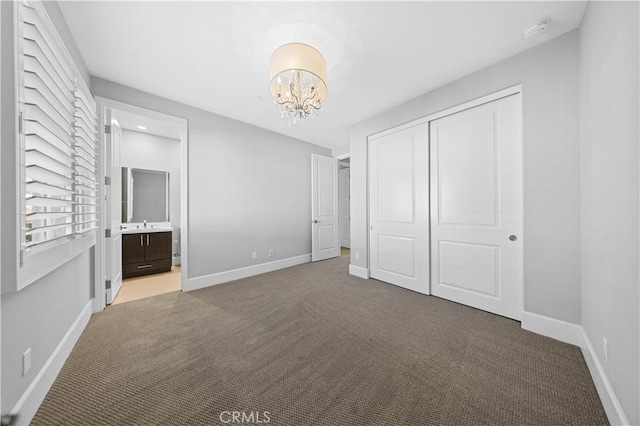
(298, 80)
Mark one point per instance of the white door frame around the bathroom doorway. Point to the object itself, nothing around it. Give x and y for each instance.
(102, 105)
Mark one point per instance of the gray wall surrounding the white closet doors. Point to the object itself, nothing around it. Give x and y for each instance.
(548, 74)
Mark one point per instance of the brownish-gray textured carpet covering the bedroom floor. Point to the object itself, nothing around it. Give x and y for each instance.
(312, 345)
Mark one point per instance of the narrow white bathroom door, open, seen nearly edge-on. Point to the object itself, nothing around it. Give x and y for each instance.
(113, 191)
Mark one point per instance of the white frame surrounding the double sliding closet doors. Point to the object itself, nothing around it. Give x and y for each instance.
(426, 119)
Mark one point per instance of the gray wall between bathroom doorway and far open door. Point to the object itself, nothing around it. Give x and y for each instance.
(249, 188)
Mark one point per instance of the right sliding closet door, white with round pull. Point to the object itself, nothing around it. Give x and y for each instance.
(476, 207)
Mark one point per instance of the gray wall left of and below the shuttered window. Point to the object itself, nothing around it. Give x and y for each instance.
(39, 315)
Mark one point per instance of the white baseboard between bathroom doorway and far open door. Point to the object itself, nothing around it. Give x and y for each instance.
(249, 271)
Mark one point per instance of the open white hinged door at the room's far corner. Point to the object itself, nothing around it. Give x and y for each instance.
(325, 235)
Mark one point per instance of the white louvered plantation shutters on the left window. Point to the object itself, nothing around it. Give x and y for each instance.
(60, 138)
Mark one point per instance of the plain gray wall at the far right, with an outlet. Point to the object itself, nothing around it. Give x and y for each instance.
(609, 114)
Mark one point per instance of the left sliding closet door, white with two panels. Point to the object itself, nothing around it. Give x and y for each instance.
(399, 208)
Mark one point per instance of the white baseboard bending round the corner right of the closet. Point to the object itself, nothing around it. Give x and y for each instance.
(575, 335)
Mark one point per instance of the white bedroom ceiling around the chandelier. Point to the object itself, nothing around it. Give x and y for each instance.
(214, 55)
